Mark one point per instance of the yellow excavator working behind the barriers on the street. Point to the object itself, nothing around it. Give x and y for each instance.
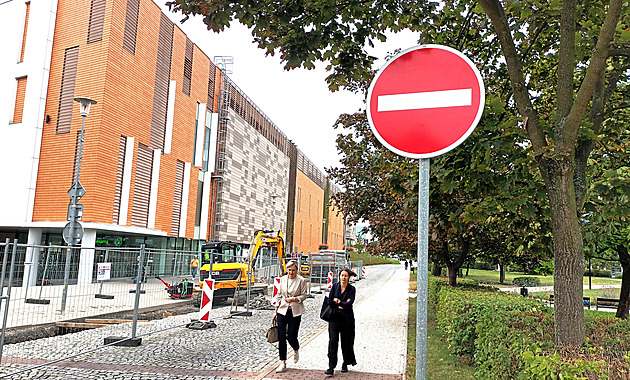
(223, 262)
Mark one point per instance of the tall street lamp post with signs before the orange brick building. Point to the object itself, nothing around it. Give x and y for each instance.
(73, 232)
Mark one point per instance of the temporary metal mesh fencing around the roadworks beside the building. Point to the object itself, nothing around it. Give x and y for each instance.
(61, 287)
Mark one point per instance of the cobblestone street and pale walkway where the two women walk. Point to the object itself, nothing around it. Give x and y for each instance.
(235, 349)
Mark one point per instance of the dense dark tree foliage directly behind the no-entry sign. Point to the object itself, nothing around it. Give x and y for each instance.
(486, 185)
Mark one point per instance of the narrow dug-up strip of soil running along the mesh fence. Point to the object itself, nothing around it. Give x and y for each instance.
(26, 333)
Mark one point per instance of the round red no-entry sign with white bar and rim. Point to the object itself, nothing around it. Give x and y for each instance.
(425, 101)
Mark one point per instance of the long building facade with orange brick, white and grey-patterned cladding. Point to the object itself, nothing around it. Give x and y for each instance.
(174, 153)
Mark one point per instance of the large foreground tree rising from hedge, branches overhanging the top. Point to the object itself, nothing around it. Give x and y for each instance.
(555, 55)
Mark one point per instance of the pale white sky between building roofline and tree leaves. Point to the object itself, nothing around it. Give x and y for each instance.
(297, 101)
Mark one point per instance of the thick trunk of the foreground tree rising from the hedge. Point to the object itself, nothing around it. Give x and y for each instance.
(568, 252)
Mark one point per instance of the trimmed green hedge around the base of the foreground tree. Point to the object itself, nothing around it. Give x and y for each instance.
(507, 336)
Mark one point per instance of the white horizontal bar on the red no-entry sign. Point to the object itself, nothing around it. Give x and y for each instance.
(424, 100)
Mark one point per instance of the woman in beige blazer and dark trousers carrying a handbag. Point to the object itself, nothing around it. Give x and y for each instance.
(289, 309)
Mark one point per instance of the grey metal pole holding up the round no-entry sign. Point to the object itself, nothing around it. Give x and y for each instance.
(423, 269)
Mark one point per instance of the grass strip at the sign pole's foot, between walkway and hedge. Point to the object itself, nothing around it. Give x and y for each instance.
(441, 365)
